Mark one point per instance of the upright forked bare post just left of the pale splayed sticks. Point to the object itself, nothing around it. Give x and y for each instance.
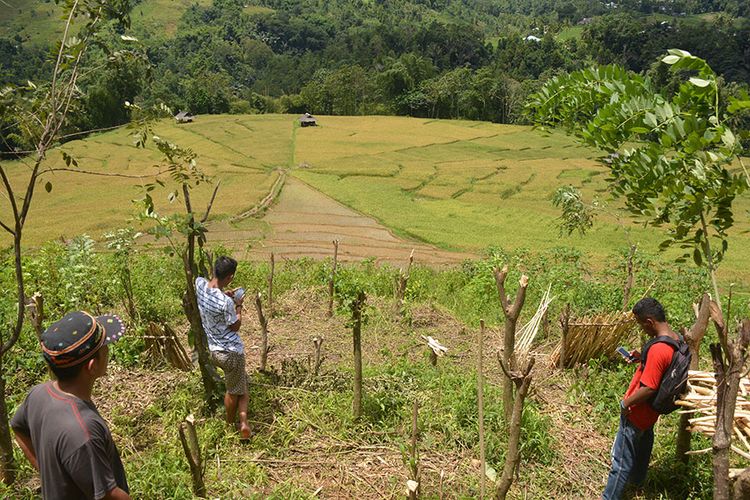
(511, 312)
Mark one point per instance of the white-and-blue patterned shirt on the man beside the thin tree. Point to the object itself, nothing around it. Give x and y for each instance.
(217, 313)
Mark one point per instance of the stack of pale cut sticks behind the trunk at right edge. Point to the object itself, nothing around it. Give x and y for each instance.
(700, 400)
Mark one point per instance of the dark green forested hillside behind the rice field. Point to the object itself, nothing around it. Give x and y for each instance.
(475, 59)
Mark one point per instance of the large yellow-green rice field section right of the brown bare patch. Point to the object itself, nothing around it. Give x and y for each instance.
(469, 185)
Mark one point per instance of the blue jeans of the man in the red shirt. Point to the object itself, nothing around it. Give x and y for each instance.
(631, 452)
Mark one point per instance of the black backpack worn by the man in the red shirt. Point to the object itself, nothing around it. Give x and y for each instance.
(674, 381)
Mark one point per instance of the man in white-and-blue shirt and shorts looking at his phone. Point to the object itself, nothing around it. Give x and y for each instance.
(221, 316)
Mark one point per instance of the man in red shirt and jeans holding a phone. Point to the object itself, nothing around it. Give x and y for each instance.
(631, 450)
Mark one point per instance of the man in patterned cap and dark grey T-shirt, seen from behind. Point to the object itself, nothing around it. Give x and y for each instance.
(58, 426)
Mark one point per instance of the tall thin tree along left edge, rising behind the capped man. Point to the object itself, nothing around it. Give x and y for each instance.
(42, 112)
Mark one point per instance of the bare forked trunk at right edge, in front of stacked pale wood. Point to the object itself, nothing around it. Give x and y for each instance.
(727, 385)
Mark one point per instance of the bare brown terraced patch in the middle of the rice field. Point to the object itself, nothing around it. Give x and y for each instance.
(304, 222)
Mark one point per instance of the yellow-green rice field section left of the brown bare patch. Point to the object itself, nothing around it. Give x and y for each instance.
(242, 152)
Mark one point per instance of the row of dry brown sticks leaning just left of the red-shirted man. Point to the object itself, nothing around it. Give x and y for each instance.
(590, 337)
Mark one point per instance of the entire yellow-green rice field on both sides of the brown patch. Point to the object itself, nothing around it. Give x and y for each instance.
(455, 184)
